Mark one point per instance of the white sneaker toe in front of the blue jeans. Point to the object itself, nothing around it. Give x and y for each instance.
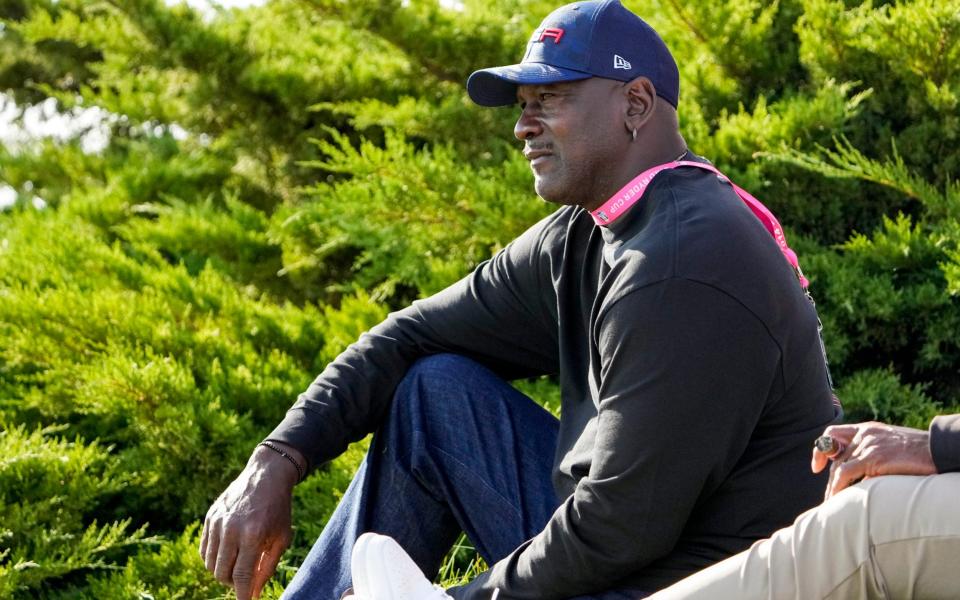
(382, 570)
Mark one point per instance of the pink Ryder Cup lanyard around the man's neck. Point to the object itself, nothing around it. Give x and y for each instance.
(630, 194)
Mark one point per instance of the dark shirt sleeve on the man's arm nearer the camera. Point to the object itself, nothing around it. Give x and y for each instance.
(686, 374)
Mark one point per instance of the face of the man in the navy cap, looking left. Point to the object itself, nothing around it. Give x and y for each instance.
(575, 139)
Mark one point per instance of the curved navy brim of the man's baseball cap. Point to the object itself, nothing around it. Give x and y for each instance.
(497, 86)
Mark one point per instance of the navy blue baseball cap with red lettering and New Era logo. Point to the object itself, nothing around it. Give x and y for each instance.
(578, 41)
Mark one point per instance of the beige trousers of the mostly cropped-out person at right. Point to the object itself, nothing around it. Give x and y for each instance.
(895, 537)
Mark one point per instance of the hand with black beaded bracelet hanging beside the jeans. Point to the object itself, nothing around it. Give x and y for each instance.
(248, 527)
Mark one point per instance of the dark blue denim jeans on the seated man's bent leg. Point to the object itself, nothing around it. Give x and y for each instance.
(461, 450)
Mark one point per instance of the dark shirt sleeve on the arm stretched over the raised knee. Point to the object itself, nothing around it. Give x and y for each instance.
(499, 315)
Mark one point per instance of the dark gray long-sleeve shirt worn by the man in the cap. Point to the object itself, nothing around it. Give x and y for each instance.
(692, 379)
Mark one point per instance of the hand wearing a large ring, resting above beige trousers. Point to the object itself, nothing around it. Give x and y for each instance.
(874, 449)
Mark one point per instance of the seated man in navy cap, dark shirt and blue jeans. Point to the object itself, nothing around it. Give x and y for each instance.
(688, 356)
